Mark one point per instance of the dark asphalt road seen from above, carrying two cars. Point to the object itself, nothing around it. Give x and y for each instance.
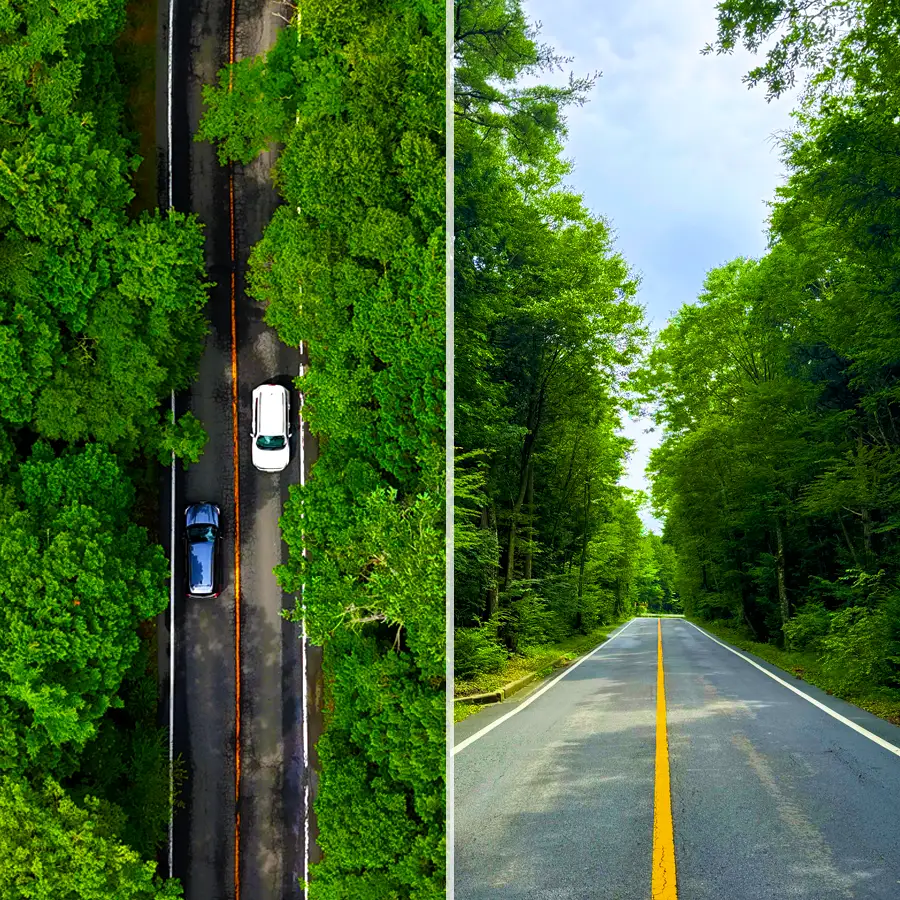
(239, 691)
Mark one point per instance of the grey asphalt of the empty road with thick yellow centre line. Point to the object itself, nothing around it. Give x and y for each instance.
(772, 797)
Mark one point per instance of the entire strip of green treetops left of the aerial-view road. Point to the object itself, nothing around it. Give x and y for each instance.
(100, 317)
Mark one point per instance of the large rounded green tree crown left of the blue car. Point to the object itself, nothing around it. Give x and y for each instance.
(75, 578)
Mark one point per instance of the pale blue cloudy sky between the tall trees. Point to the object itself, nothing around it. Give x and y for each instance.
(672, 149)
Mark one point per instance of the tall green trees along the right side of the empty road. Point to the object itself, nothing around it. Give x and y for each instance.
(779, 475)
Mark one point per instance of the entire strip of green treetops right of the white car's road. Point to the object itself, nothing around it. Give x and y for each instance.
(352, 264)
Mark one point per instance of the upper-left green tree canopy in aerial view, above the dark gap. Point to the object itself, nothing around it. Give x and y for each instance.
(97, 311)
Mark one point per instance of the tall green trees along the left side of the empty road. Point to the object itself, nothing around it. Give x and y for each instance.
(548, 544)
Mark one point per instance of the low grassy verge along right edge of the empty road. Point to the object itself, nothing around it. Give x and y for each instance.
(806, 665)
